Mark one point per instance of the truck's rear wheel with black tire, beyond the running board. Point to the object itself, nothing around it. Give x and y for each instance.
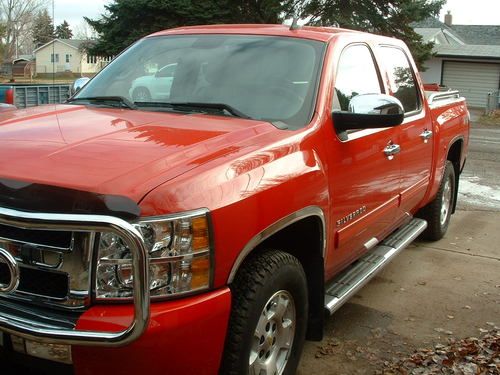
(438, 212)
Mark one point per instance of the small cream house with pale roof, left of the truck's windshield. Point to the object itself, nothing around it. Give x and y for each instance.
(67, 55)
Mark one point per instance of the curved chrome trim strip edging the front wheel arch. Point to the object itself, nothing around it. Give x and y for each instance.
(276, 227)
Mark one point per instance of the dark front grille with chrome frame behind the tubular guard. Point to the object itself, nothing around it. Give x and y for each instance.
(54, 265)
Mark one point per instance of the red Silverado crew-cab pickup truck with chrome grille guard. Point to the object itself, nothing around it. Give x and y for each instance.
(208, 229)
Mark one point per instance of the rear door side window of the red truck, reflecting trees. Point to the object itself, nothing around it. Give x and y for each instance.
(401, 78)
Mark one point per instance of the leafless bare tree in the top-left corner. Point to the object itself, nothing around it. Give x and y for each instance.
(17, 16)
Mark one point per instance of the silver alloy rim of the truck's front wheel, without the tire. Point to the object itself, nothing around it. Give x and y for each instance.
(273, 336)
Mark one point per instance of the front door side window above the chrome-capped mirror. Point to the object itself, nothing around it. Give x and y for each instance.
(356, 75)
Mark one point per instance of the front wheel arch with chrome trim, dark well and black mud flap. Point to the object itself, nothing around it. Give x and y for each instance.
(303, 235)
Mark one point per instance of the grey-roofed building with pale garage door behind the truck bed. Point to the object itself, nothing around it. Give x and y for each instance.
(467, 58)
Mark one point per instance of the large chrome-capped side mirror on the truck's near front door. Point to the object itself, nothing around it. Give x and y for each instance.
(369, 111)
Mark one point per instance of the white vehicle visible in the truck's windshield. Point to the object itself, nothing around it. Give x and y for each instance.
(155, 86)
